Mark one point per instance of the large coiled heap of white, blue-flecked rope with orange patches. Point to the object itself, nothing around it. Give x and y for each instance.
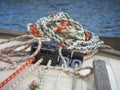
(71, 35)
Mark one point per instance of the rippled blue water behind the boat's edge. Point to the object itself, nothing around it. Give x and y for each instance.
(99, 16)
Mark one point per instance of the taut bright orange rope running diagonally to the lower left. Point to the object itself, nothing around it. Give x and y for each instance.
(16, 72)
